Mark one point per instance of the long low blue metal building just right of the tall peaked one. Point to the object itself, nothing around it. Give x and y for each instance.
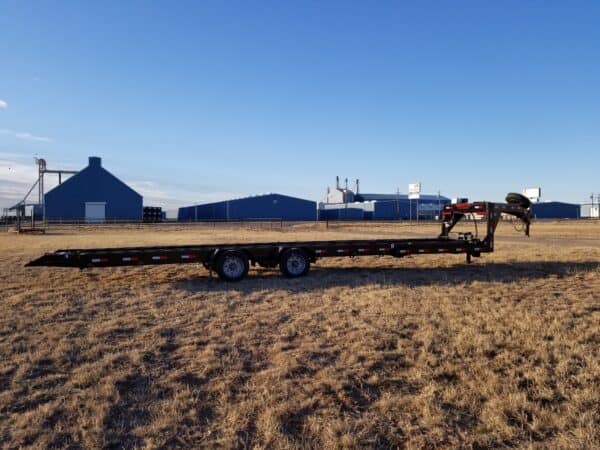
(259, 207)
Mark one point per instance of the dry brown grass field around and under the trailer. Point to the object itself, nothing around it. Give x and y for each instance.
(418, 352)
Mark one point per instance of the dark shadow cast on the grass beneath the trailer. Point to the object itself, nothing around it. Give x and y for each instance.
(326, 277)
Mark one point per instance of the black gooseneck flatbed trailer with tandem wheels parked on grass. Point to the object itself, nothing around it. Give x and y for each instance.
(232, 261)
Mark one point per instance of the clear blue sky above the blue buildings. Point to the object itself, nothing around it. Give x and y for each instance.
(201, 100)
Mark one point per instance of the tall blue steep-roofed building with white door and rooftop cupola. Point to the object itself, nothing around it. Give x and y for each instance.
(95, 195)
